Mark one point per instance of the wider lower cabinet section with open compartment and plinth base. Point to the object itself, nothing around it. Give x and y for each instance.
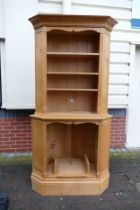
(70, 157)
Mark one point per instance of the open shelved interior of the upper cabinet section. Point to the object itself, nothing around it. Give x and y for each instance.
(71, 92)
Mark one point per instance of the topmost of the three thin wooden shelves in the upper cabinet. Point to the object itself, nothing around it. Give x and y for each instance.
(71, 54)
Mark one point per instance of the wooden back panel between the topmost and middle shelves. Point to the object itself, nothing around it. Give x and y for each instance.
(72, 64)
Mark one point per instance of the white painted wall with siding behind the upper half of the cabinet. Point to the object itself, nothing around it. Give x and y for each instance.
(19, 34)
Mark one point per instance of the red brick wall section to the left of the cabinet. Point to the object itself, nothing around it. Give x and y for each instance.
(15, 131)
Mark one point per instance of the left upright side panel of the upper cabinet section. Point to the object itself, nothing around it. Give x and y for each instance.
(40, 74)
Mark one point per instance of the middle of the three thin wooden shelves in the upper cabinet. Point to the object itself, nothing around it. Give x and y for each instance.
(73, 73)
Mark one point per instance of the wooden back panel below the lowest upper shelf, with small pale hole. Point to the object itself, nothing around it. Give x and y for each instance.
(72, 101)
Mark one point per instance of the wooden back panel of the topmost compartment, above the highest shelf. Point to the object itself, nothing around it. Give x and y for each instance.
(73, 42)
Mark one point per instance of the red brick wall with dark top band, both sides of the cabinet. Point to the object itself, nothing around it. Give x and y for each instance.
(15, 130)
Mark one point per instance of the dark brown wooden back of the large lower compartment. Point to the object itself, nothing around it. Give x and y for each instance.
(72, 141)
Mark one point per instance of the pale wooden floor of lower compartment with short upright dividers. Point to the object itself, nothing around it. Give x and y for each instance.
(71, 167)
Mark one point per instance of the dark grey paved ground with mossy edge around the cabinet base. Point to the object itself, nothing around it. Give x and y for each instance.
(123, 193)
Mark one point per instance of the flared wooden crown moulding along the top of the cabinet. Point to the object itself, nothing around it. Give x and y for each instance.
(73, 20)
